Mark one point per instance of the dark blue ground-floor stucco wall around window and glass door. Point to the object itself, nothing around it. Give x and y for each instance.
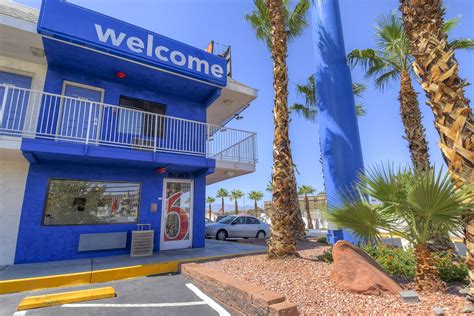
(38, 243)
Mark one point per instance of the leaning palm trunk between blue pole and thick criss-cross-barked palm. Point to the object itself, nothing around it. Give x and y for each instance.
(411, 118)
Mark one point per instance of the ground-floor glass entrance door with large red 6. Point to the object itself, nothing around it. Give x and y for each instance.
(177, 214)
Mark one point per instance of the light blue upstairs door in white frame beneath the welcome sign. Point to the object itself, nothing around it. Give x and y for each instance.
(80, 114)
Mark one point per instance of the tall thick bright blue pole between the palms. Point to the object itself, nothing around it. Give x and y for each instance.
(339, 132)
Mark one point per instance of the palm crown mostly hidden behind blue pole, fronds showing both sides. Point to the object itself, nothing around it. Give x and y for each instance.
(309, 109)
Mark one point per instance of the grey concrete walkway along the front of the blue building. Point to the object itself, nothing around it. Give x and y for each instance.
(212, 249)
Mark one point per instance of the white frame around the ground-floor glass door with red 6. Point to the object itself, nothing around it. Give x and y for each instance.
(177, 244)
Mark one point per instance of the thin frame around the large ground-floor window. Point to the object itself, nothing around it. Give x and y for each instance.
(45, 204)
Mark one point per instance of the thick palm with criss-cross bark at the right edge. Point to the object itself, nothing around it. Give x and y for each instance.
(437, 68)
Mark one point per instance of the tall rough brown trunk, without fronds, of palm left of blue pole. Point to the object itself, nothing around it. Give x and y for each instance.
(282, 240)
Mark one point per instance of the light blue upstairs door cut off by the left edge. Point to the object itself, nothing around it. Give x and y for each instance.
(12, 117)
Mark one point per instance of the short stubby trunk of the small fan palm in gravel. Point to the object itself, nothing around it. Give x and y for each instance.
(426, 278)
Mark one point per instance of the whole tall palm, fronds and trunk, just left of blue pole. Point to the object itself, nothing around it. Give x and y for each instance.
(275, 23)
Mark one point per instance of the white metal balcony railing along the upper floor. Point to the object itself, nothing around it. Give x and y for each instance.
(26, 113)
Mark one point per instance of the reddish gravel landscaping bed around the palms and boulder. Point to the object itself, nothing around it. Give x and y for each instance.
(307, 283)
